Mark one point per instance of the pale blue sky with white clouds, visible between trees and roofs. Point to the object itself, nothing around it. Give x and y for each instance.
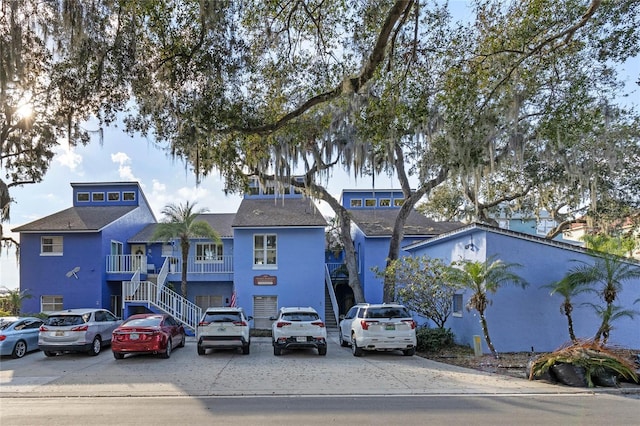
(163, 179)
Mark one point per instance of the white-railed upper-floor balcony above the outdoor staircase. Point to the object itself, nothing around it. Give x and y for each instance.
(128, 263)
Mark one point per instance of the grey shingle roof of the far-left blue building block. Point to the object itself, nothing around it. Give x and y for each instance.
(77, 219)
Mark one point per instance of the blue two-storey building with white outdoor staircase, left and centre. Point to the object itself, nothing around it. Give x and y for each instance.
(100, 253)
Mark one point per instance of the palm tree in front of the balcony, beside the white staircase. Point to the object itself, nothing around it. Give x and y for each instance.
(181, 223)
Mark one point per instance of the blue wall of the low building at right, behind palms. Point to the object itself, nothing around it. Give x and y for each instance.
(519, 319)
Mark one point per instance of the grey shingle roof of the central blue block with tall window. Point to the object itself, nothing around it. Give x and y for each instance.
(278, 212)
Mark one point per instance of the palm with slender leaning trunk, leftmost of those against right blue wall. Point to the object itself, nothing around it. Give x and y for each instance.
(483, 278)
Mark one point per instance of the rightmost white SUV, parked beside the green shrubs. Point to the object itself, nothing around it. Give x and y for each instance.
(378, 327)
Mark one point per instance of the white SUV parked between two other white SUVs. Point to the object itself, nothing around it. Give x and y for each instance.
(296, 328)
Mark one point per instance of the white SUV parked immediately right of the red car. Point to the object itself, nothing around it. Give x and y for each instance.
(223, 328)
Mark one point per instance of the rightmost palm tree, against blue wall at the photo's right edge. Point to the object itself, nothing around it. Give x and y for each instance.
(609, 271)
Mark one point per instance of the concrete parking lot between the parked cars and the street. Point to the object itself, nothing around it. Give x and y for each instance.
(230, 373)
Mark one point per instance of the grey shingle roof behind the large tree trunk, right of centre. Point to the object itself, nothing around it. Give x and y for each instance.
(380, 223)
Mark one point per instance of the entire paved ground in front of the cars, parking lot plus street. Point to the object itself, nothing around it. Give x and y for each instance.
(298, 387)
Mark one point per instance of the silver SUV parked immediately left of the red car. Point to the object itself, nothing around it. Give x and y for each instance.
(79, 330)
